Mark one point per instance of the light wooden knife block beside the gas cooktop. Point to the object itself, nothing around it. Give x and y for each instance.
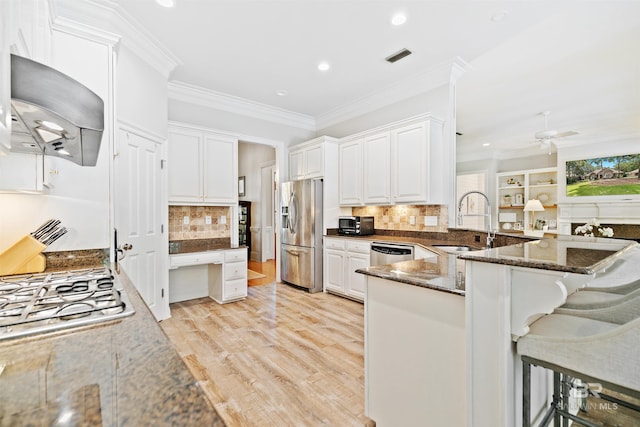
(24, 256)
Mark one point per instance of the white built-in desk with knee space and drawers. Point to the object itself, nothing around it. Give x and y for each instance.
(221, 275)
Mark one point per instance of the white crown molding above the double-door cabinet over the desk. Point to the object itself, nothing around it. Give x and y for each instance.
(184, 92)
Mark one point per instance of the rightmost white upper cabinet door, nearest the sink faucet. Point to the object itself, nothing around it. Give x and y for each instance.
(409, 160)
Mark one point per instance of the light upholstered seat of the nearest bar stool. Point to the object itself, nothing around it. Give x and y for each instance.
(601, 350)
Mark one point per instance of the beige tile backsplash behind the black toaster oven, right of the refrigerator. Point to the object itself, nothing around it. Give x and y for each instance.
(399, 217)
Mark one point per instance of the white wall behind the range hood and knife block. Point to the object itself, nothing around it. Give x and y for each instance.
(79, 196)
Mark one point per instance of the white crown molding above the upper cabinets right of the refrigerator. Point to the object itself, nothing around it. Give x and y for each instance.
(439, 75)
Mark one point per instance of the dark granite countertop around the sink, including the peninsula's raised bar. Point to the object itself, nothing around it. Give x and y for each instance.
(574, 254)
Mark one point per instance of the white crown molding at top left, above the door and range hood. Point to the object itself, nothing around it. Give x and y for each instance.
(97, 14)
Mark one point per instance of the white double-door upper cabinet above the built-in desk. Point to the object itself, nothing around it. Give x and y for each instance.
(203, 167)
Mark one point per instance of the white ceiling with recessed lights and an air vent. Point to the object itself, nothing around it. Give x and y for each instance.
(578, 59)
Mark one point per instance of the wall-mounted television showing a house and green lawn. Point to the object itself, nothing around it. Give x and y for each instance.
(603, 176)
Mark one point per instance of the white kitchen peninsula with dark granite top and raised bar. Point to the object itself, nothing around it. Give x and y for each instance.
(414, 313)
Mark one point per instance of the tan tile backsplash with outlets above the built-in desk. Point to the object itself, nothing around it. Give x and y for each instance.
(197, 229)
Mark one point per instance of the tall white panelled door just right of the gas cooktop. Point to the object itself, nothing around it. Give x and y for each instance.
(139, 208)
